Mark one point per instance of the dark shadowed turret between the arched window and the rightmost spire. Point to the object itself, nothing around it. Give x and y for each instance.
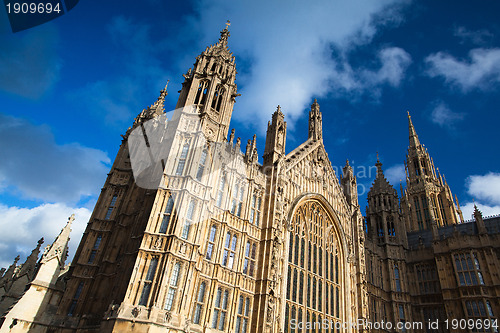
(387, 283)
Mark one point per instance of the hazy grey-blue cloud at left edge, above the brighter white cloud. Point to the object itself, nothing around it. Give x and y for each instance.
(39, 168)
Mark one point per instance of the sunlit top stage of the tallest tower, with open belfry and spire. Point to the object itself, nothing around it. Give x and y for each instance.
(210, 86)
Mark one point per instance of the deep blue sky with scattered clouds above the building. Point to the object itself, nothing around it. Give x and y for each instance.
(70, 87)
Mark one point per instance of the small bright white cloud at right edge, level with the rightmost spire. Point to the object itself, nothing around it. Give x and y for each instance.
(485, 187)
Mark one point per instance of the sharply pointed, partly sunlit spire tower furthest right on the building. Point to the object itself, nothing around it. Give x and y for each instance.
(427, 201)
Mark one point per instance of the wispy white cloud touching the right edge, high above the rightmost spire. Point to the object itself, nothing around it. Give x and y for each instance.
(482, 71)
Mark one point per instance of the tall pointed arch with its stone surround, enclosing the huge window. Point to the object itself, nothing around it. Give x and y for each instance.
(322, 260)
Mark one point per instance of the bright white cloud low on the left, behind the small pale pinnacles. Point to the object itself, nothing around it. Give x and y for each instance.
(31, 224)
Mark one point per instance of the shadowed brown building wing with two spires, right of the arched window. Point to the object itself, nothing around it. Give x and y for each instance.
(423, 261)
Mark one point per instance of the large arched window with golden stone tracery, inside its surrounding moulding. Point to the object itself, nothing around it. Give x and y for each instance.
(314, 283)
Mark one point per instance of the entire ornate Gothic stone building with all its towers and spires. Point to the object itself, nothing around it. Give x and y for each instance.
(191, 235)
